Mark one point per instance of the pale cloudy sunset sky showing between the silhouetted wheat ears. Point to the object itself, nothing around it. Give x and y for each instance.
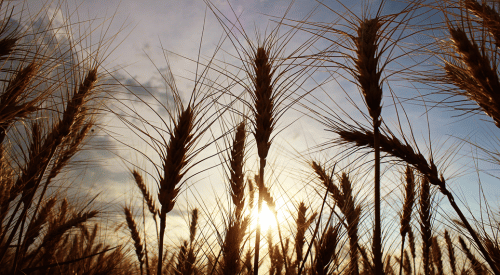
(149, 31)
